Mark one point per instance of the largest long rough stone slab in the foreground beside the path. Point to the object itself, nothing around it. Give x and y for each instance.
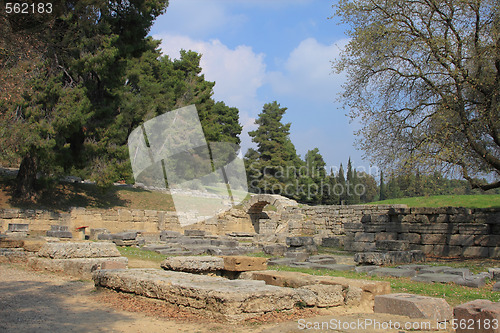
(232, 300)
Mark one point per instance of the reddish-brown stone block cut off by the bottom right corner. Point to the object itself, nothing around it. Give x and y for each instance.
(475, 315)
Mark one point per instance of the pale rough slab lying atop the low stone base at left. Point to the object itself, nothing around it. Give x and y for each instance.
(67, 250)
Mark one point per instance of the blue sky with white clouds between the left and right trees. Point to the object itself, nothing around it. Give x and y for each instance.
(260, 51)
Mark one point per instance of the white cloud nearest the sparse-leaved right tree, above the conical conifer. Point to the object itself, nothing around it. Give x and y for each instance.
(308, 71)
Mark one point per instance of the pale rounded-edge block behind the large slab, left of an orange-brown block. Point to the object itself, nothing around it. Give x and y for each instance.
(191, 264)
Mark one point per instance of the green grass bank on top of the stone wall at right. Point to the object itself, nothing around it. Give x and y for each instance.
(469, 201)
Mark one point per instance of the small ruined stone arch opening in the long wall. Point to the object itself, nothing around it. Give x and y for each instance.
(256, 204)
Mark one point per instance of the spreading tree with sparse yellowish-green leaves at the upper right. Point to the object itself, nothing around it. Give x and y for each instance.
(424, 80)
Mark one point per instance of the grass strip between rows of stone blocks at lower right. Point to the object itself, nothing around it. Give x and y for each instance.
(453, 294)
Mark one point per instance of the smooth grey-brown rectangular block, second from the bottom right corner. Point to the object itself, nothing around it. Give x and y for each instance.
(414, 306)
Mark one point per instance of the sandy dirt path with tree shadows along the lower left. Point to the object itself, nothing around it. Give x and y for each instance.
(45, 302)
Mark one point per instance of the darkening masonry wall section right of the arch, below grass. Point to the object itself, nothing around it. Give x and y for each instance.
(436, 231)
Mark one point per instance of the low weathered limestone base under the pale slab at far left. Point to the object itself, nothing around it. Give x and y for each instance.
(79, 267)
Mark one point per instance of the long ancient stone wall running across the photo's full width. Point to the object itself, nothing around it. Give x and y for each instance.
(436, 231)
